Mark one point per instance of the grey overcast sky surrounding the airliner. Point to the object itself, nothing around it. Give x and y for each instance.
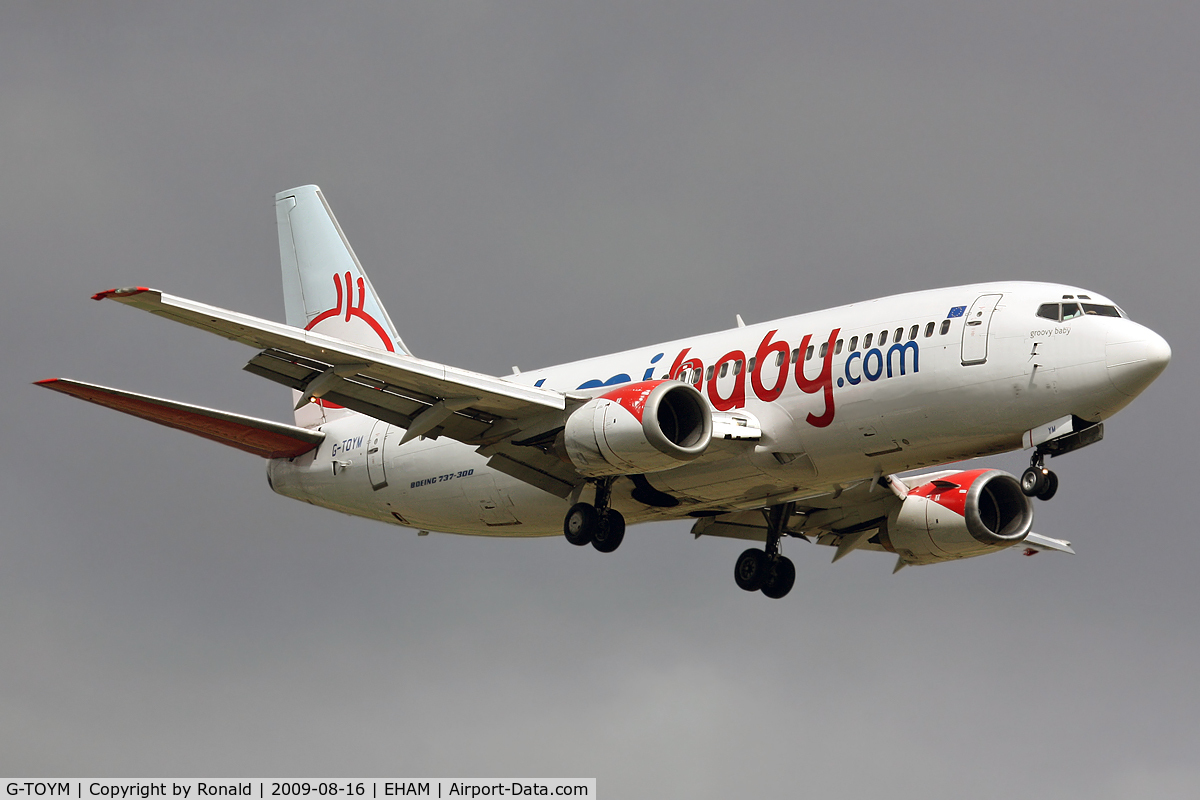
(530, 184)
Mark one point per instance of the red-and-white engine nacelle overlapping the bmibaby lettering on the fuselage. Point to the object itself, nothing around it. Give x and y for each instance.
(644, 428)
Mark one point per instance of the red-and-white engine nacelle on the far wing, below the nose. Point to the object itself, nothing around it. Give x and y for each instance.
(958, 516)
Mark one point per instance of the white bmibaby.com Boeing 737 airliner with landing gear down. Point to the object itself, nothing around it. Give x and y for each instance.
(794, 429)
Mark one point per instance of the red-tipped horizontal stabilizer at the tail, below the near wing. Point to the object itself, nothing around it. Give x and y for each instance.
(260, 437)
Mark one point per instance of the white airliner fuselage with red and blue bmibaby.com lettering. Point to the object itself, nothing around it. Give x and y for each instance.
(963, 372)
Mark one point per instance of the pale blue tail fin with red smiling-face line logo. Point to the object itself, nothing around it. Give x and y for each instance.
(325, 286)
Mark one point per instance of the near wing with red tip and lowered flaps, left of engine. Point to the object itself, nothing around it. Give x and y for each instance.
(507, 422)
